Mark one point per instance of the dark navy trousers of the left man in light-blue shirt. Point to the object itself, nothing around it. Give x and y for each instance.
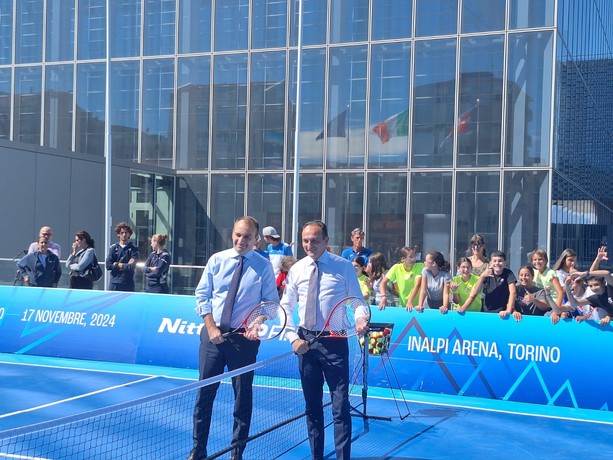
(234, 353)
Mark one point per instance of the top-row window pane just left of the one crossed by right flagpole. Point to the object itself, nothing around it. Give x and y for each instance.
(269, 23)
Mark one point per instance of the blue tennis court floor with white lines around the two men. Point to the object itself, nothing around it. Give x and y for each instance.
(37, 389)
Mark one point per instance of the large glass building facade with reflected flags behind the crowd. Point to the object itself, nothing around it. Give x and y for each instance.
(422, 121)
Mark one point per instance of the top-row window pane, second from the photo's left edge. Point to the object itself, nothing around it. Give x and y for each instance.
(29, 31)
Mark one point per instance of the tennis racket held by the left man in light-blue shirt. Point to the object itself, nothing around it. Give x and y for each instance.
(265, 321)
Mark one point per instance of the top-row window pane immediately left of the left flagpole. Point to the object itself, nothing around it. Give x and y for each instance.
(91, 32)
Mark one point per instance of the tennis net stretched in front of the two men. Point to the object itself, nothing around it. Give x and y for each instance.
(160, 426)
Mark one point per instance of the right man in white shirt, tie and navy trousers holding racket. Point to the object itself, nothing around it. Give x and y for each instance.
(327, 358)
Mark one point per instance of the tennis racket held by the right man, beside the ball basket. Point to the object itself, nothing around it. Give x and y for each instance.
(347, 319)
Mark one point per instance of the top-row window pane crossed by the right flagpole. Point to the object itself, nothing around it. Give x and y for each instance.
(314, 22)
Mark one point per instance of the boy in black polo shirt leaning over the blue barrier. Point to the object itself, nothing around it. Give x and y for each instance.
(498, 285)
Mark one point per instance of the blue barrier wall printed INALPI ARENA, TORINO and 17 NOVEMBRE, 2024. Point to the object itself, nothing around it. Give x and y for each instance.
(475, 354)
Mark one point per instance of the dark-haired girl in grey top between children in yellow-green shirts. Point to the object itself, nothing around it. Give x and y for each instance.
(435, 277)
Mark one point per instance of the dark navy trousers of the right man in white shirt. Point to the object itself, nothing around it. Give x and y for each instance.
(327, 359)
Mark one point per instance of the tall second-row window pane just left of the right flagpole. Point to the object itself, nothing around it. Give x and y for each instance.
(267, 111)
